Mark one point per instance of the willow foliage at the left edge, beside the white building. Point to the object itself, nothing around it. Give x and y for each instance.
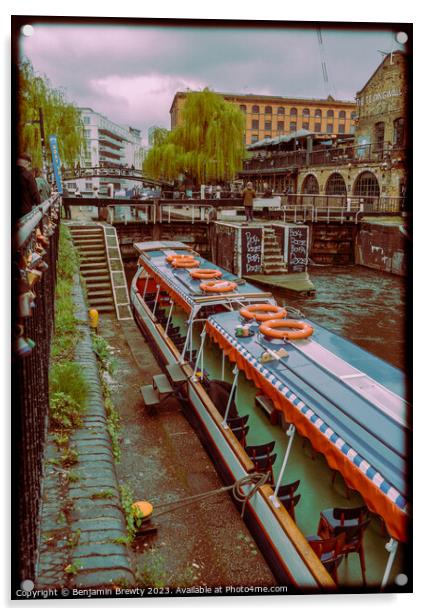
(61, 117)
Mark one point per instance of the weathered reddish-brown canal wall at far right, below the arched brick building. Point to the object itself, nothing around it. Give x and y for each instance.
(382, 246)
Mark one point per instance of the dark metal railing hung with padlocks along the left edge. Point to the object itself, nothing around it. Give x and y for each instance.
(30, 386)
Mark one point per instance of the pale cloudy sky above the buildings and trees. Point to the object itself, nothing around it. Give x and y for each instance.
(131, 73)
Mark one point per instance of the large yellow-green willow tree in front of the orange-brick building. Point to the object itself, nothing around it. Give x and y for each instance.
(207, 146)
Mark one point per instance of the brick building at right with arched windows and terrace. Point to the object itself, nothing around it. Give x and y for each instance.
(371, 167)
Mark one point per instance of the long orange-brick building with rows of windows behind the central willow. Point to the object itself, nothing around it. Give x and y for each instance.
(270, 116)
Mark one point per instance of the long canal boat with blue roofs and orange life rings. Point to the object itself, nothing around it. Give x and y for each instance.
(349, 408)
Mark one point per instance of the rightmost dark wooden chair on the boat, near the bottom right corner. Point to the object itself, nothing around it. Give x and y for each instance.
(353, 522)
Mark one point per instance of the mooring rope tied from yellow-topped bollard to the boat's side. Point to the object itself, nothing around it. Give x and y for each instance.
(254, 479)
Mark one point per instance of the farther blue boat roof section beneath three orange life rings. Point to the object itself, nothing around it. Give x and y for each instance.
(186, 290)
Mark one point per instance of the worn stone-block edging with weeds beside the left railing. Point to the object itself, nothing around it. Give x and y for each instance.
(80, 530)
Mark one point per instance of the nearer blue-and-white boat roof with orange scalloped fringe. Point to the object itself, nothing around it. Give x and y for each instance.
(349, 403)
